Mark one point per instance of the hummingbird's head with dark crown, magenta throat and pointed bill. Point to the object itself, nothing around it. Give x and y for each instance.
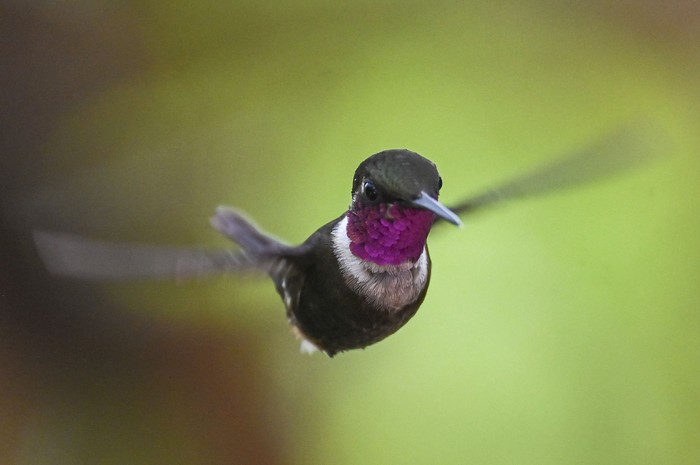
(394, 205)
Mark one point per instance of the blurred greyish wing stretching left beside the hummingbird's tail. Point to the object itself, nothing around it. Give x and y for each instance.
(78, 257)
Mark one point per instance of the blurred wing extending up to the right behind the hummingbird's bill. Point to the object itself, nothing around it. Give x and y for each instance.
(613, 155)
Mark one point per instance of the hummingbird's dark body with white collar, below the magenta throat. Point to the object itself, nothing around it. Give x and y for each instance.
(336, 301)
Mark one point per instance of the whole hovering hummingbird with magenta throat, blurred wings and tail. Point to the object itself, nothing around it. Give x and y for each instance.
(358, 278)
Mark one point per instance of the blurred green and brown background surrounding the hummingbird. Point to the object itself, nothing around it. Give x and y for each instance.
(558, 330)
